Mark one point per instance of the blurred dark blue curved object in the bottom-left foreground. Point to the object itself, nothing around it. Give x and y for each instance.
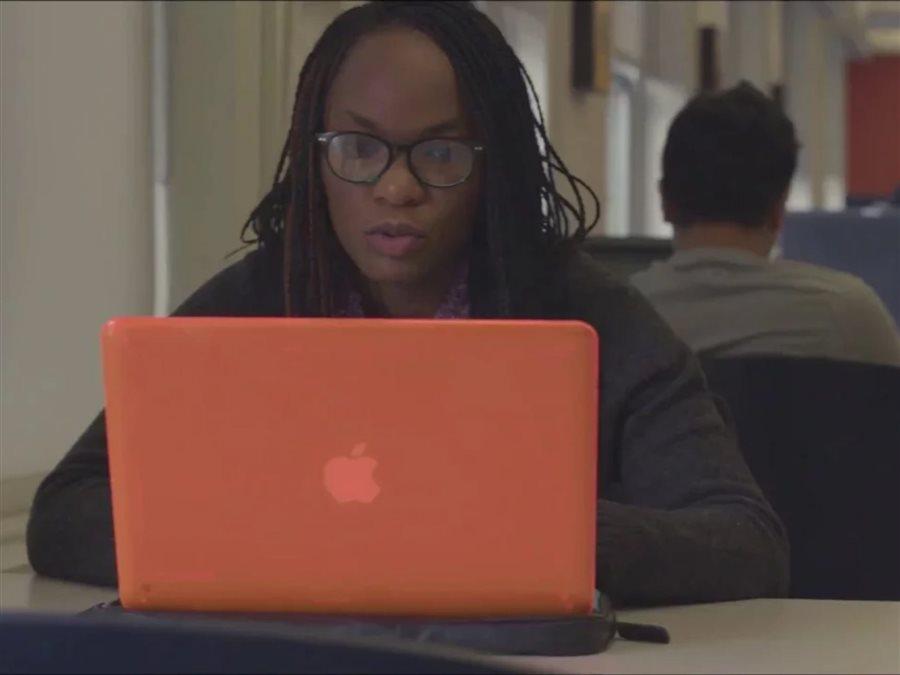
(67, 644)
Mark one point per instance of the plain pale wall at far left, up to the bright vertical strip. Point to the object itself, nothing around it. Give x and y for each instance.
(75, 213)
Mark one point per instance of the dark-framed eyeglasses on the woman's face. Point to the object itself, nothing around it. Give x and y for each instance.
(363, 158)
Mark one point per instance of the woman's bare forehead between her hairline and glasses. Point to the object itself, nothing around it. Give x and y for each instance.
(400, 81)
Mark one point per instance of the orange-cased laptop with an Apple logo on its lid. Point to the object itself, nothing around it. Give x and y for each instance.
(353, 466)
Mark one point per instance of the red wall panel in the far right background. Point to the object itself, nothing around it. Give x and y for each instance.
(873, 126)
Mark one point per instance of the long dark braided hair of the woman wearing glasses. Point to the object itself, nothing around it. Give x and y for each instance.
(524, 224)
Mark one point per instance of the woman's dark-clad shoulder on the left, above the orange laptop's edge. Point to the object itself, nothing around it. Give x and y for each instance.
(249, 287)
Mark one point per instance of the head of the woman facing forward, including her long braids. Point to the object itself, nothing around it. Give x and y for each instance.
(405, 72)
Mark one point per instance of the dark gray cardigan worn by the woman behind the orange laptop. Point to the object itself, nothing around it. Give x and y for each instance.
(680, 518)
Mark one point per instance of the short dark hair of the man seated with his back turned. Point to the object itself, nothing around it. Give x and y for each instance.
(729, 156)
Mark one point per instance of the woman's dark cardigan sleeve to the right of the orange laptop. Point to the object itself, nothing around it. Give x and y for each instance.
(680, 518)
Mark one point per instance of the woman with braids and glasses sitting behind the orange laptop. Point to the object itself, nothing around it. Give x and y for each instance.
(416, 181)
